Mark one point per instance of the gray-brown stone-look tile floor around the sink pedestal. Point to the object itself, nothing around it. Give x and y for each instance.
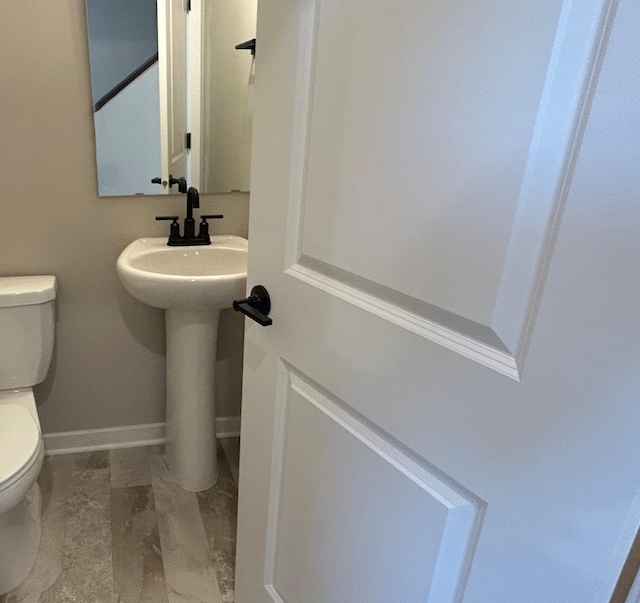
(118, 529)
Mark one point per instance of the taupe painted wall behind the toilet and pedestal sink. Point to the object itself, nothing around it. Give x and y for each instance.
(108, 367)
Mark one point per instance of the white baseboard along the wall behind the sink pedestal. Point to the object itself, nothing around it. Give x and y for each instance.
(129, 436)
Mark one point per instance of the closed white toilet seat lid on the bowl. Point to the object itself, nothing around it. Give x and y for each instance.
(19, 439)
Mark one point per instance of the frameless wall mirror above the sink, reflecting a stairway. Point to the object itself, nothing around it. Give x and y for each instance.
(172, 95)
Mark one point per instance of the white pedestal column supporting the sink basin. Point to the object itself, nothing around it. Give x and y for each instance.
(190, 450)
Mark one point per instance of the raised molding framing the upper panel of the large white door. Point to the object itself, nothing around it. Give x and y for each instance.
(578, 48)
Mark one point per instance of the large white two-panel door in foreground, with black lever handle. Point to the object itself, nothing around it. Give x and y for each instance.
(444, 211)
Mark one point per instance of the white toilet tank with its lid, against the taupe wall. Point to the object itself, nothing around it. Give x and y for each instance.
(27, 329)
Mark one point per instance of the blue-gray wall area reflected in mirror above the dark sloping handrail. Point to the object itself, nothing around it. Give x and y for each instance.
(123, 34)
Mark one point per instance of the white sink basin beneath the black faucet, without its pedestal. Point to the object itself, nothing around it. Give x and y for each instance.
(195, 276)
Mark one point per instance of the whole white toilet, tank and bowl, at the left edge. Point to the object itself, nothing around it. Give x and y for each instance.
(27, 326)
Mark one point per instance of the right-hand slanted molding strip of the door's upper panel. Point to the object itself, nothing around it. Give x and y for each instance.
(579, 48)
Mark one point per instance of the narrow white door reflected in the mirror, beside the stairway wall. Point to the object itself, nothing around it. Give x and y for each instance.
(172, 67)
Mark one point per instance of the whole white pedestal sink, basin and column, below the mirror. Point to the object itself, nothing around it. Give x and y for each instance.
(192, 284)
